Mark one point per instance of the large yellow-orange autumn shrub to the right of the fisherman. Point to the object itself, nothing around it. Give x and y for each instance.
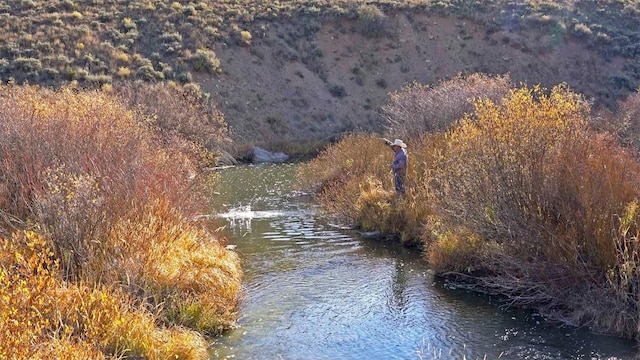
(534, 198)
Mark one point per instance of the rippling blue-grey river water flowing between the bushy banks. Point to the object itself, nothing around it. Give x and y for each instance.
(315, 291)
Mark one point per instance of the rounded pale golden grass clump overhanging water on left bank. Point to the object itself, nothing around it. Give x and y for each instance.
(180, 266)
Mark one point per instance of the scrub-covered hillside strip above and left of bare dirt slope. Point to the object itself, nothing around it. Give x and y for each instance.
(100, 42)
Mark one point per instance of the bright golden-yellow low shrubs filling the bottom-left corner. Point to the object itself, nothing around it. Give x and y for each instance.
(44, 317)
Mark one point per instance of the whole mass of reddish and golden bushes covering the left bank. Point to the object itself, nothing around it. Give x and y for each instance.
(92, 178)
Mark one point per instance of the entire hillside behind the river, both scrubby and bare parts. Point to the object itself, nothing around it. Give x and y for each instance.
(299, 71)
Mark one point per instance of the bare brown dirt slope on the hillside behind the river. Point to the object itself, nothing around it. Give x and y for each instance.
(303, 80)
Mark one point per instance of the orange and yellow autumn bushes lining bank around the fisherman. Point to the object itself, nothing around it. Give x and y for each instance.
(521, 198)
